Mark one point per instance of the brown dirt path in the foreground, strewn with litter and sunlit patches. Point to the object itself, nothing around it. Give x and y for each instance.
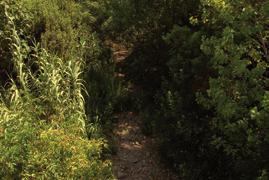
(136, 158)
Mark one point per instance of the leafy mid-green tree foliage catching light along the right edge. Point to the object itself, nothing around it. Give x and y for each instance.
(238, 49)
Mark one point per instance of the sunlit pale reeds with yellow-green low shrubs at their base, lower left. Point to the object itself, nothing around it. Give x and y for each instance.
(42, 124)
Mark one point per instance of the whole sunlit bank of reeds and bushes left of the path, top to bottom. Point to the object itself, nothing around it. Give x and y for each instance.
(44, 128)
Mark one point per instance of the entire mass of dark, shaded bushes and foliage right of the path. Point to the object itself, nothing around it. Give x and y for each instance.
(202, 72)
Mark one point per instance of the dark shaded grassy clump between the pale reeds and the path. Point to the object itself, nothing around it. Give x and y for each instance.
(103, 88)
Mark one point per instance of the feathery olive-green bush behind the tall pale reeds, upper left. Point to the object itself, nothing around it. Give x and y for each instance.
(57, 25)
